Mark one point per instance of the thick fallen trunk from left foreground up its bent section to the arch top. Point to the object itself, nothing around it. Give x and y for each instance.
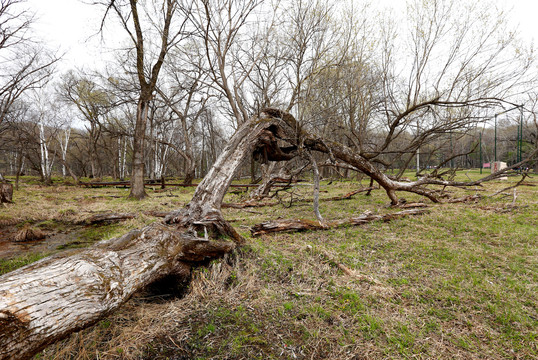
(46, 301)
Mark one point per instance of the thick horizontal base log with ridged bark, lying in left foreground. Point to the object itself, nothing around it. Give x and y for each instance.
(47, 300)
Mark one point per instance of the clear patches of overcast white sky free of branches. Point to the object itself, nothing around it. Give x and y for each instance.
(69, 25)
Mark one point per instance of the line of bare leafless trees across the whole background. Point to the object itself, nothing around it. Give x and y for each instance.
(402, 94)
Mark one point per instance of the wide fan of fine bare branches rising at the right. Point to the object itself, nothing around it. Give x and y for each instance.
(461, 63)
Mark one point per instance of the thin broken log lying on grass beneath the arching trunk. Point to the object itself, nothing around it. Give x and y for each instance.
(293, 225)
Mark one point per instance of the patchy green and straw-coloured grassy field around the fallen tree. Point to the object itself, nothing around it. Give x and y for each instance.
(460, 282)
